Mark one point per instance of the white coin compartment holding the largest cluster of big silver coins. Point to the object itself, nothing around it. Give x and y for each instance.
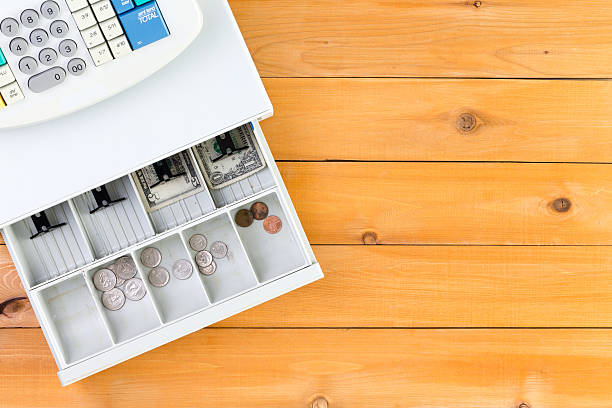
(133, 319)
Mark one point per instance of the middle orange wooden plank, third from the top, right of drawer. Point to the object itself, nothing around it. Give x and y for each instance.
(451, 203)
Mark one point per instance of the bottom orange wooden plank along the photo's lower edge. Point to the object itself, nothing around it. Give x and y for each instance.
(351, 368)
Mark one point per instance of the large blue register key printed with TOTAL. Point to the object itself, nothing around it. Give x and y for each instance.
(144, 25)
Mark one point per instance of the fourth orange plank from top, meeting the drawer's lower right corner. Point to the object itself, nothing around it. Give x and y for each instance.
(425, 286)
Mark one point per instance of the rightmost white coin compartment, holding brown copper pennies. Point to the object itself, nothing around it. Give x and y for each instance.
(272, 255)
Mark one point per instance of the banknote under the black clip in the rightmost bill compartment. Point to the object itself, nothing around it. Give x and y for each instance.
(230, 157)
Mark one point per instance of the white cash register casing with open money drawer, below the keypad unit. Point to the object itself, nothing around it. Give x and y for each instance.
(76, 203)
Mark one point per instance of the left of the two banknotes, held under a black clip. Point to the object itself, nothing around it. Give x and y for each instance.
(168, 181)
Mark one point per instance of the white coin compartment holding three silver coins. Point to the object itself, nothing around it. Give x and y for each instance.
(179, 297)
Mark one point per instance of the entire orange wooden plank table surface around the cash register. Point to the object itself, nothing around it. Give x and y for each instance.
(451, 167)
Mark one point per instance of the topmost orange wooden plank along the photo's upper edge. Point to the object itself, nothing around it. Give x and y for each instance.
(436, 38)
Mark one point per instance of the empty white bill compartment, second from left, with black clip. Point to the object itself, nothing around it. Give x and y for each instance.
(118, 226)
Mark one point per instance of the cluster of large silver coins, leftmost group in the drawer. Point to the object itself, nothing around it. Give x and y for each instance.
(118, 282)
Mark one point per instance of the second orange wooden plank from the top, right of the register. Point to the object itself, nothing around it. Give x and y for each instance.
(407, 120)
